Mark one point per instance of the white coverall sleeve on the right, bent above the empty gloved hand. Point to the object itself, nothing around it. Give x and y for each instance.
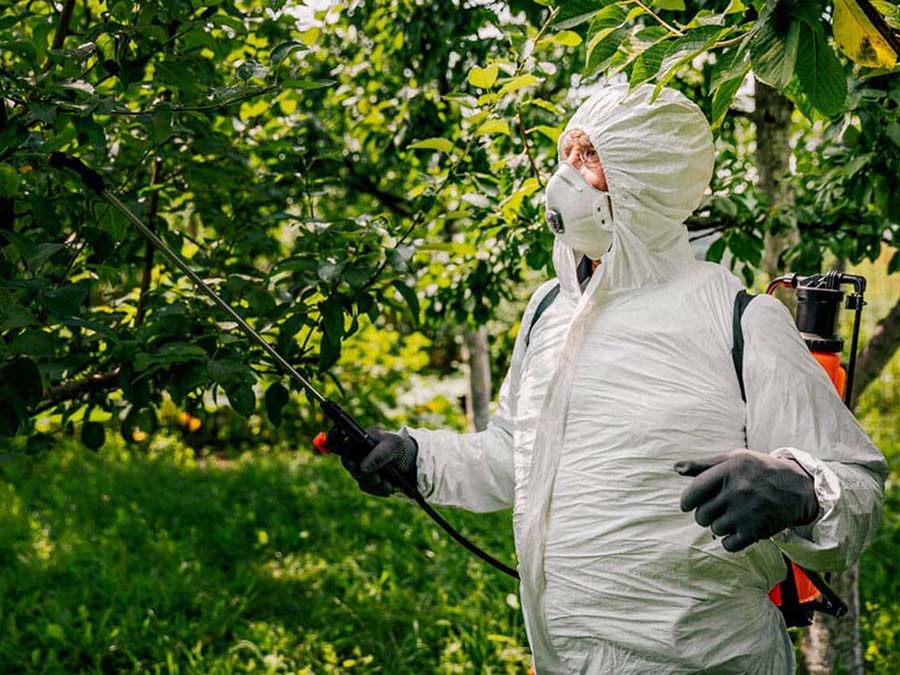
(793, 410)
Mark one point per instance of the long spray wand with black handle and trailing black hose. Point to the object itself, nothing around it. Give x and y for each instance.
(346, 433)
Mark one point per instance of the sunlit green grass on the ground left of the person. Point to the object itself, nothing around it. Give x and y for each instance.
(276, 563)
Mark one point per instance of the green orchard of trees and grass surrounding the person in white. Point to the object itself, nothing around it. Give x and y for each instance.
(363, 180)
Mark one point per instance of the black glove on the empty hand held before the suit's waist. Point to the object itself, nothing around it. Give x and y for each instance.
(747, 496)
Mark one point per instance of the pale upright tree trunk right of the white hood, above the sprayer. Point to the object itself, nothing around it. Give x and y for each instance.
(772, 117)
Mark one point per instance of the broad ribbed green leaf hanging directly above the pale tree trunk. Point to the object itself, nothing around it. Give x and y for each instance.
(773, 49)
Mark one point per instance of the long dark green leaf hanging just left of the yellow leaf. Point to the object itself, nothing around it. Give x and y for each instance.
(820, 73)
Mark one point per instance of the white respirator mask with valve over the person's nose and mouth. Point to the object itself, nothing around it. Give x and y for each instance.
(578, 214)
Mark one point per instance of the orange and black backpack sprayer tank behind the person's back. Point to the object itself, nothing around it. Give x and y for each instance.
(818, 302)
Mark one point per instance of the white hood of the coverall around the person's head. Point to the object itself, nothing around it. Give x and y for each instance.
(658, 158)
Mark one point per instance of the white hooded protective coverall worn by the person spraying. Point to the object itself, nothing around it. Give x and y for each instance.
(619, 382)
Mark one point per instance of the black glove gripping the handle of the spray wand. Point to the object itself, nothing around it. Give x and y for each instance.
(398, 450)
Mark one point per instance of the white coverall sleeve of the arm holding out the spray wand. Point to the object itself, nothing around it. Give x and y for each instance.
(476, 471)
